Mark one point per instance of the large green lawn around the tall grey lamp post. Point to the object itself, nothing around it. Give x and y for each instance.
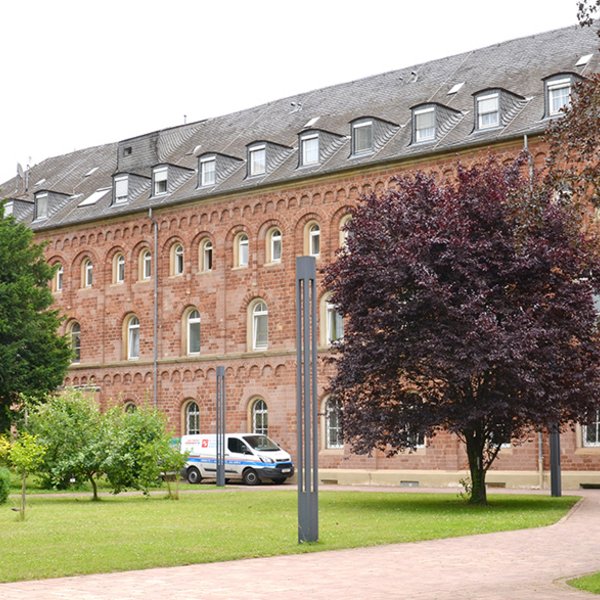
(67, 535)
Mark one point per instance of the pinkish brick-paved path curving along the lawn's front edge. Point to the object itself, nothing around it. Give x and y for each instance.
(516, 565)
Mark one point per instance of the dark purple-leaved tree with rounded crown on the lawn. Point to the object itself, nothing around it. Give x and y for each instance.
(468, 308)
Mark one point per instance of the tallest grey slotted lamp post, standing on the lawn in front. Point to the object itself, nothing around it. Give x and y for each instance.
(306, 399)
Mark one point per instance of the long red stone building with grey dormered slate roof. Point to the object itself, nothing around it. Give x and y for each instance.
(176, 249)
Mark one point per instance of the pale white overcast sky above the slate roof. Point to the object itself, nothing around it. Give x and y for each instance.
(79, 73)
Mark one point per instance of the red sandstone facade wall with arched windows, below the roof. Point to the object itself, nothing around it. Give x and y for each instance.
(223, 297)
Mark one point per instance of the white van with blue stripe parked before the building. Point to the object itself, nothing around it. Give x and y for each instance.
(250, 457)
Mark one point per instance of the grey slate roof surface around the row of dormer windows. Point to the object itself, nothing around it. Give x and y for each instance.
(518, 66)
